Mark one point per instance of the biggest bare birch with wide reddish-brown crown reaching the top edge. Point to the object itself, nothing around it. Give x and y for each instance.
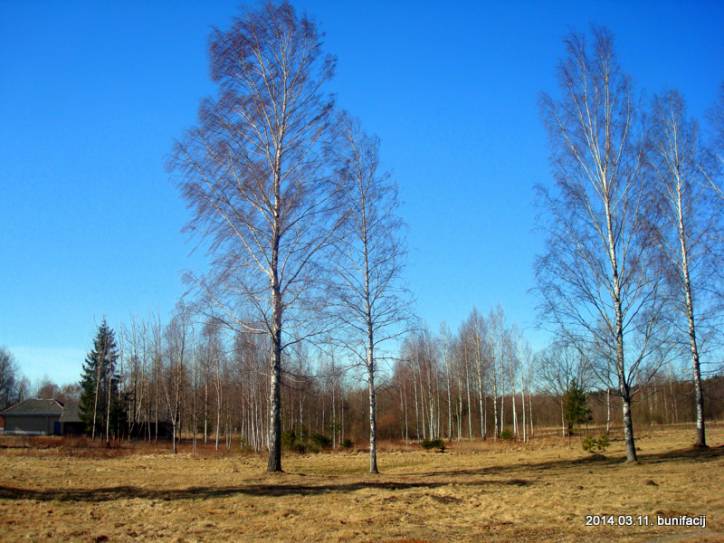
(255, 174)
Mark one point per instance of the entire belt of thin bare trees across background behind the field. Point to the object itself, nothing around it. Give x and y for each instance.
(194, 380)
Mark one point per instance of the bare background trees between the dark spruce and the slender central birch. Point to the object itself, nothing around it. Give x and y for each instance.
(195, 379)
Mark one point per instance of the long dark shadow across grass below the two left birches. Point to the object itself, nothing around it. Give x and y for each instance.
(210, 492)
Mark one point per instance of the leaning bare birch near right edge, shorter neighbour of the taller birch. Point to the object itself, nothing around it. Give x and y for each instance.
(691, 229)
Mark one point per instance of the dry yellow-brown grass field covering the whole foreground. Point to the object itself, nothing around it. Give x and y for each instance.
(472, 492)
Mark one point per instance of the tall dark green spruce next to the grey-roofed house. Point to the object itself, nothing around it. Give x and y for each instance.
(99, 406)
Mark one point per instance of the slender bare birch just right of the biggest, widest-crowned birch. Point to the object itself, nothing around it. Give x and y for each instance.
(369, 260)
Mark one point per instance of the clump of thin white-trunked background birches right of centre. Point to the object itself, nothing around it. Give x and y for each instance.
(459, 386)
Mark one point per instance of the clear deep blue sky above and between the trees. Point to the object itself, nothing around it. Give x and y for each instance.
(92, 95)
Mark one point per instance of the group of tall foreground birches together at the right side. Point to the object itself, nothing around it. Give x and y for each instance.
(632, 271)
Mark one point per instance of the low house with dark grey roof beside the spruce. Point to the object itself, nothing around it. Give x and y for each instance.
(42, 417)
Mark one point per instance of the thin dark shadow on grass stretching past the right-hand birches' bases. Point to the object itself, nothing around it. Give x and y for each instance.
(690, 454)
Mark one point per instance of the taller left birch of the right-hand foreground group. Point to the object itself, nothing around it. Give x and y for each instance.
(597, 265)
